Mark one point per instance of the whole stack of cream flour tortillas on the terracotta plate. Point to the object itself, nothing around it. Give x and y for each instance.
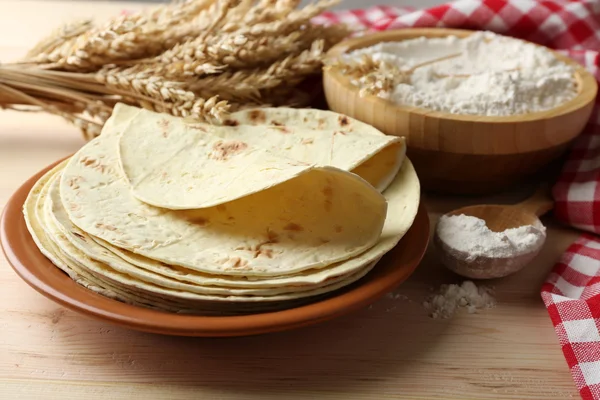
(270, 209)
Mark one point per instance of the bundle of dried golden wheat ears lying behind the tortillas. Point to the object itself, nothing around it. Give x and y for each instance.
(190, 58)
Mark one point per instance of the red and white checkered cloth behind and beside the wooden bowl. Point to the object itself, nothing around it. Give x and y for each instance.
(572, 290)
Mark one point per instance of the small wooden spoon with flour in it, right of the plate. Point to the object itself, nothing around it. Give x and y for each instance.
(498, 218)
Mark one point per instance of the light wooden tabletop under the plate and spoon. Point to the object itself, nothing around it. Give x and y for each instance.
(390, 350)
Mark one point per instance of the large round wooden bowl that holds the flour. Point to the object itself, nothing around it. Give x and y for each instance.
(465, 154)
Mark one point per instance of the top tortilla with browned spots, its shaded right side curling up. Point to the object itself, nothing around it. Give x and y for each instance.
(323, 216)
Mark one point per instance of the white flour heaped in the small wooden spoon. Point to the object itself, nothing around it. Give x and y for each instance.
(471, 236)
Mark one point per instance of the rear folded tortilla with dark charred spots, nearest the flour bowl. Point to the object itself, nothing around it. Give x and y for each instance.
(322, 138)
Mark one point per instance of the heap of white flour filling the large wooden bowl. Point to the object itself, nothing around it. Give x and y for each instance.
(491, 74)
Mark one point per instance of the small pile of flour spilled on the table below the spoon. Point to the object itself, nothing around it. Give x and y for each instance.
(452, 297)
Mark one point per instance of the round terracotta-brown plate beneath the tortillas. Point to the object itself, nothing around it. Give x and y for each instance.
(43, 276)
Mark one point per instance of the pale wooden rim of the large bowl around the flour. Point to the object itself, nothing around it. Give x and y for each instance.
(587, 84)
